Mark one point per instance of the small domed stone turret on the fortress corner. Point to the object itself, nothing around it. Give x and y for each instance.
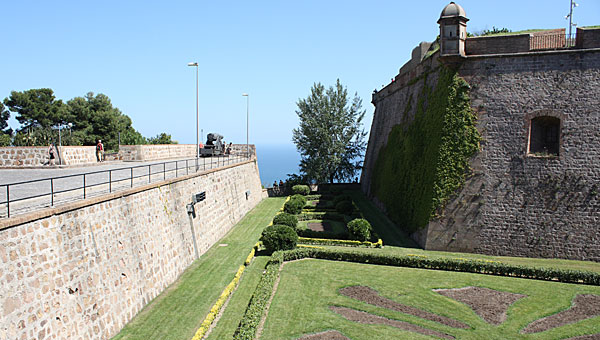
(453, 31)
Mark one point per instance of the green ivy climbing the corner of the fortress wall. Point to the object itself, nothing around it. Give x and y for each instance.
(425, 162)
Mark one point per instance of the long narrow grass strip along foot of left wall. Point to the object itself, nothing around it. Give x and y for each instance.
(178, 312)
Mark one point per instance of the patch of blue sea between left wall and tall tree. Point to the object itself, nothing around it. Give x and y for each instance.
(276, 161)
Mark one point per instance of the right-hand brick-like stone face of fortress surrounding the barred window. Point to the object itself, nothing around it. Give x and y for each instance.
(537, 206)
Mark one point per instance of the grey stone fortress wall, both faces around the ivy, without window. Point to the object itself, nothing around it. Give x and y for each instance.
(513, 203)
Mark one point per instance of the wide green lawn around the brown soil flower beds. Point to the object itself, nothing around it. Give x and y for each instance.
(308, 287)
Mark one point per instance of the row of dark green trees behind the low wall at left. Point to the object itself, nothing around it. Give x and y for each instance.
(82, 120)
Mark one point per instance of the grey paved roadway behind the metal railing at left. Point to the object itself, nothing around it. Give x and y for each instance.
(67, 183)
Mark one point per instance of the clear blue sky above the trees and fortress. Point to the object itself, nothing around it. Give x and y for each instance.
(136, 52)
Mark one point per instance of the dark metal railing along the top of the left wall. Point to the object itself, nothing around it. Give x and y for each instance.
(29, 195)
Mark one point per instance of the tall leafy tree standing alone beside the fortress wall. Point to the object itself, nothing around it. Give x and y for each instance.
(330, 138)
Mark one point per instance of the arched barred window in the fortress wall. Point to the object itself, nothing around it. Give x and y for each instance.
(544, 136)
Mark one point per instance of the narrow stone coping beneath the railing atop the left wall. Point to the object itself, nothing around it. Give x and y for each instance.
(47, 212)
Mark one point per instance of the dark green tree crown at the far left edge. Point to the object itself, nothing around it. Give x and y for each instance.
(37, 108)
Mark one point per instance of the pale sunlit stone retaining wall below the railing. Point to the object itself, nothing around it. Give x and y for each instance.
(84, 270)
